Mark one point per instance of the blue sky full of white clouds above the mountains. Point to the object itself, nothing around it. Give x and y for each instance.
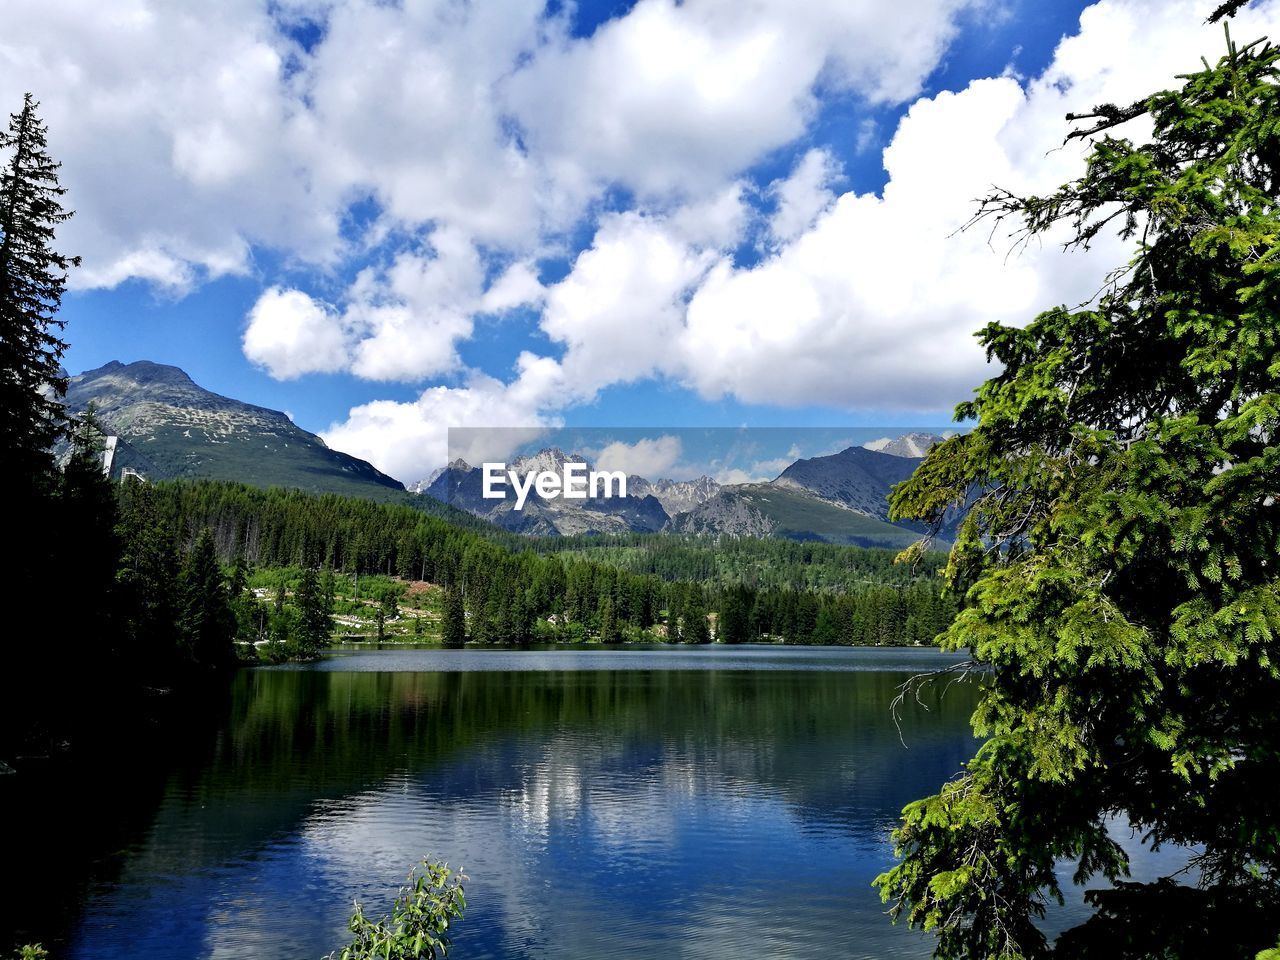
(390, 218)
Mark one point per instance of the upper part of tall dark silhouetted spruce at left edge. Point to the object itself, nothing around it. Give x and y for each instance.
(33, 280)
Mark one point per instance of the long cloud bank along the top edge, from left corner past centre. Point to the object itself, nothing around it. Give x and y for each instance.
(194, 134)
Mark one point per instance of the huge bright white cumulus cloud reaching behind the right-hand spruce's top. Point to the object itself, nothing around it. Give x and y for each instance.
(867, 299)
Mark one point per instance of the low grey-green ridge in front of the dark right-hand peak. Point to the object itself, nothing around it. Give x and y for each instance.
(785, 513)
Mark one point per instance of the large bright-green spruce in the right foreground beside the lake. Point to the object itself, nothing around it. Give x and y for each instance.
(1118, 559)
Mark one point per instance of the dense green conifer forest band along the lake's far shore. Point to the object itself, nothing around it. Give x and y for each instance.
(502, 596)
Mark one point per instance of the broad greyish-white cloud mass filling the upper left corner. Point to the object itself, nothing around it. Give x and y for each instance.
(191, 135)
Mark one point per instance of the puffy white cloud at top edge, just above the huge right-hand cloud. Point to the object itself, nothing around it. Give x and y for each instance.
(675, 98)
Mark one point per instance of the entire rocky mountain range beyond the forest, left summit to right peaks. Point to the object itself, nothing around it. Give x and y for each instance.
(170, 427)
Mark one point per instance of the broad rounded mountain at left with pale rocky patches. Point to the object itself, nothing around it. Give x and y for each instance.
(170, 427)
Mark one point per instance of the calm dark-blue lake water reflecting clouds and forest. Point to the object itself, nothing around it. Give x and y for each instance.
(683, 803)
